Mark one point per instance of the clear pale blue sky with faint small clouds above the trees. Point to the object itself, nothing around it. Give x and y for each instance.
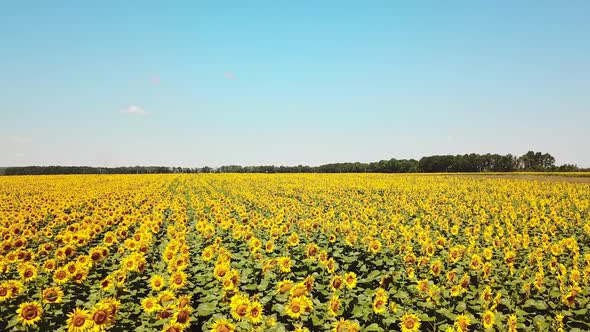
(212, 83)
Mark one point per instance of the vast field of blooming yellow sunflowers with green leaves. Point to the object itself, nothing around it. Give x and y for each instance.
(293, 252)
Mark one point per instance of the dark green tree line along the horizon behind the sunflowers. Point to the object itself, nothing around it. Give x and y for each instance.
(530, 161)
